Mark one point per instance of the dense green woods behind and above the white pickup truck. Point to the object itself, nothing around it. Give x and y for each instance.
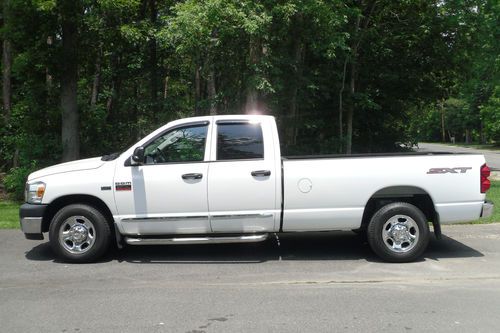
(82, 78)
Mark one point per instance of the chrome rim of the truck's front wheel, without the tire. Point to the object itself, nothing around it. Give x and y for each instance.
(77, 234)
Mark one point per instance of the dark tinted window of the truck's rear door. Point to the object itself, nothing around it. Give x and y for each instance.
(238, 141)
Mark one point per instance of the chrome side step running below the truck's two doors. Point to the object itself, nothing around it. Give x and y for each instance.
(197, 240)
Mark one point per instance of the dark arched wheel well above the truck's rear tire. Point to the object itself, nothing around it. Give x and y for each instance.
(410, 194)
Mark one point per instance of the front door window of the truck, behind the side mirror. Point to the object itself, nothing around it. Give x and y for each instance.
(185, 144)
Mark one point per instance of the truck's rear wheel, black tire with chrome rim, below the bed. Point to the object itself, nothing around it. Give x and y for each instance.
(406, 233)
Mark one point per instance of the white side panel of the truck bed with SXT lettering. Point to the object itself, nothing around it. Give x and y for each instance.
(341, 188)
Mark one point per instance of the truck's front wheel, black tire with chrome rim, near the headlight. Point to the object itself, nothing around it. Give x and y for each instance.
(86, 230)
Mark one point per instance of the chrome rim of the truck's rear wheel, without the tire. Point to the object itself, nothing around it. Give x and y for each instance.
(400, 233)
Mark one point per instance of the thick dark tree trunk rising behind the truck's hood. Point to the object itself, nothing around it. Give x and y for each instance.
(69, 77)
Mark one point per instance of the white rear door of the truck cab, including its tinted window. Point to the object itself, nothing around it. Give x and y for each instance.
(242, 178)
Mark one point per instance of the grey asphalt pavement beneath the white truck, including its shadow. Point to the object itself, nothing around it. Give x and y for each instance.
(298, 283)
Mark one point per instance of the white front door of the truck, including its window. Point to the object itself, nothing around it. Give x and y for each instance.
(168, 193)
